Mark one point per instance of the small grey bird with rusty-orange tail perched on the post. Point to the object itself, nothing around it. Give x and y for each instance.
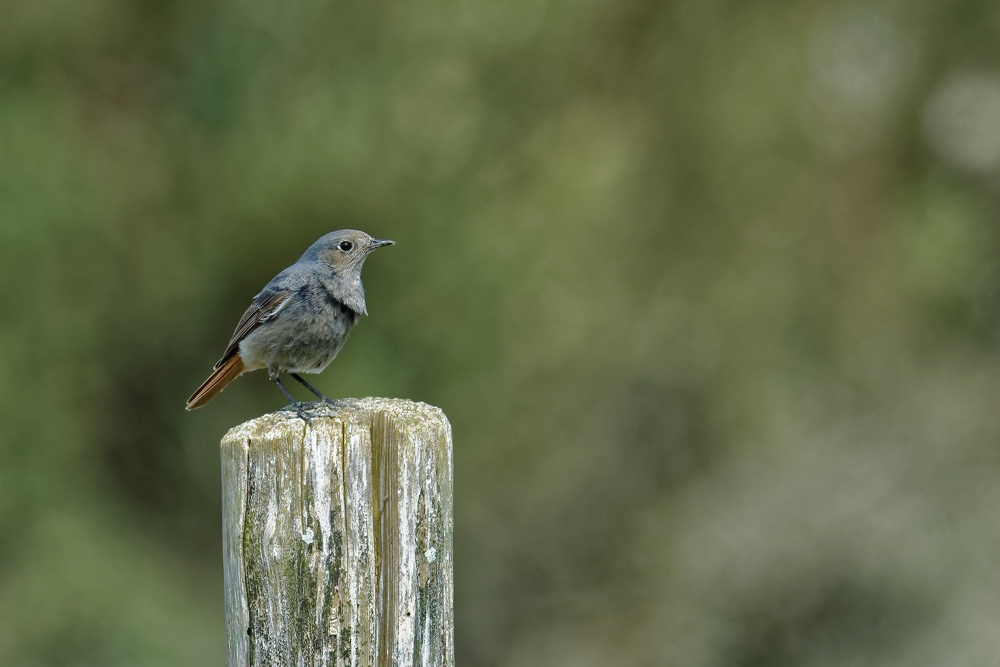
(300, 320)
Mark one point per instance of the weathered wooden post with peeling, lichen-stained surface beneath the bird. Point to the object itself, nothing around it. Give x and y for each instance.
(338, 537)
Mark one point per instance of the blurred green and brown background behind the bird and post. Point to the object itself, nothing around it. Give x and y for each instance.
(710, 290)
